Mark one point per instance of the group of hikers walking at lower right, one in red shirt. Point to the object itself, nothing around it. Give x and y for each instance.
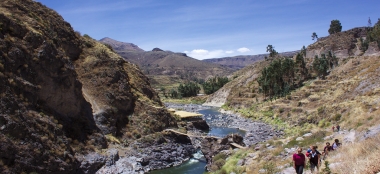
(314, 156)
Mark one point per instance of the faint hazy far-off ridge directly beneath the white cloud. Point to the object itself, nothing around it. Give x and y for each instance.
(239, 62)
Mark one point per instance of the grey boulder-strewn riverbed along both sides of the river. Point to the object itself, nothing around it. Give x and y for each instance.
(167, 149)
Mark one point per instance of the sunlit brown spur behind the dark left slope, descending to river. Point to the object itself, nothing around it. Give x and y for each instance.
(120, 94)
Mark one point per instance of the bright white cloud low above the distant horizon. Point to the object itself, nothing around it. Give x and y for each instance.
(206, 54)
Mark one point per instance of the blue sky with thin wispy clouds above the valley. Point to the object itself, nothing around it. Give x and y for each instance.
(213, 28)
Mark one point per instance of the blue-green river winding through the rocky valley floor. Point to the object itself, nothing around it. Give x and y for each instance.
(196, 165)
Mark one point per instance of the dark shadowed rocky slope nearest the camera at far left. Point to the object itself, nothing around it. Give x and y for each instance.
(44, 115)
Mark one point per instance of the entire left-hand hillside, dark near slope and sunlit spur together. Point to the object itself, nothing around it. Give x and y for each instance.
(62, 93)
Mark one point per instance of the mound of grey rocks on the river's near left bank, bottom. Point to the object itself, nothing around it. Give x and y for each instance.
(153, 152)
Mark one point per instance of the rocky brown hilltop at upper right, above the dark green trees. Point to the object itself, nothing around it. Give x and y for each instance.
(343, 44)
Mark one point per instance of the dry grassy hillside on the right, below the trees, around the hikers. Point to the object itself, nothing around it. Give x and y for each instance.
(349, 96)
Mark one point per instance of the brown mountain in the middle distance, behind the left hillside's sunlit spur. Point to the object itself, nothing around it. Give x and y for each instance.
(168, 68)
